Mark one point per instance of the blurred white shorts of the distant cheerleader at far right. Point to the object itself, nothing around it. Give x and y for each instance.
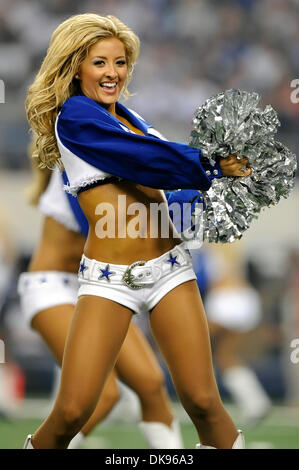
(234, 309)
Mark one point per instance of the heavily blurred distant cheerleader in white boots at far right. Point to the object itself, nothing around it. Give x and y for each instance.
(234, 311)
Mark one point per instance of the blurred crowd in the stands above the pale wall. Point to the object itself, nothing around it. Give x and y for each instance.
(190, 49)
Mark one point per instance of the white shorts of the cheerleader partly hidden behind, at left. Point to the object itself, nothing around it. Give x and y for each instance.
(40, 290)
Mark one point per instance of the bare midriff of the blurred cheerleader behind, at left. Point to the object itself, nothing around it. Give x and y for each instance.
(59, 249)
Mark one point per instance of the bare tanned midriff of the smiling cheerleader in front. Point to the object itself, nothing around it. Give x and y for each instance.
(121, 248)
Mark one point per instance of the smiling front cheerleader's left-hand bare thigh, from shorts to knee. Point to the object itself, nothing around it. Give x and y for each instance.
(96, 333)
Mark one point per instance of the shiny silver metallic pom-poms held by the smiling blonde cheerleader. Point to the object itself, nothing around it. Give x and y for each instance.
(228, 123)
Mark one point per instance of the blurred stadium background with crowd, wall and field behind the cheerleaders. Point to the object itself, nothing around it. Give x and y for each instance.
(190, 49)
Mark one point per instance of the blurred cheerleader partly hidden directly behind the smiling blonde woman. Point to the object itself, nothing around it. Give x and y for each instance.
(48, 294)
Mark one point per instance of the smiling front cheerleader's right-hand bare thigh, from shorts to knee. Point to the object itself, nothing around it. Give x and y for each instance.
(180, 327)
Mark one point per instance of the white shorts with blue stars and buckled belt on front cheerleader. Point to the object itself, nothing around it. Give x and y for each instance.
(137, 287)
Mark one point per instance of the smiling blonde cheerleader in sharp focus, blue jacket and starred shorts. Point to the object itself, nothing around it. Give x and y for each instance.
(108, 153)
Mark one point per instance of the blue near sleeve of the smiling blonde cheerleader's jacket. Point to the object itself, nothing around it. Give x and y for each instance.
(93, 134)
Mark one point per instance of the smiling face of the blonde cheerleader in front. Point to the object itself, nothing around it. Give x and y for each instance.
(103, 72)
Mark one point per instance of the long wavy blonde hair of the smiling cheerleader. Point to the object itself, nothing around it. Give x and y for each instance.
(55, 81)
